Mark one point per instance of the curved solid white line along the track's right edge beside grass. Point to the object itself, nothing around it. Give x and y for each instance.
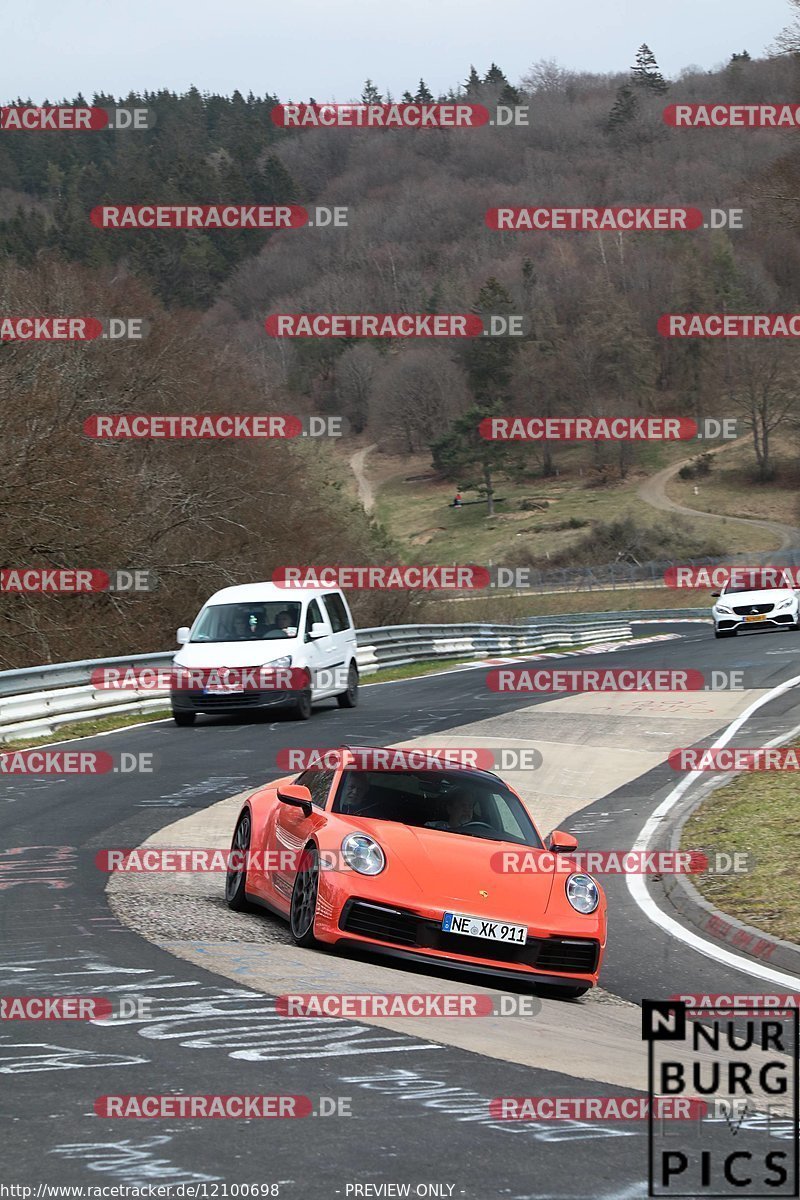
(636, 885)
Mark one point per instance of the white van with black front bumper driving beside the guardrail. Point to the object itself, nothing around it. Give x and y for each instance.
(257, 626)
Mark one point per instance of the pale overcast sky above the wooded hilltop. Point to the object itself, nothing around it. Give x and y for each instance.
(327, 49)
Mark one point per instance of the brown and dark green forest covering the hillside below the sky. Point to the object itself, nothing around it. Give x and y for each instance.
(204, 515)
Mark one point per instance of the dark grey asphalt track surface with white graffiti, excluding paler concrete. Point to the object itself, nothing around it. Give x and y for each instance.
(420, 1111)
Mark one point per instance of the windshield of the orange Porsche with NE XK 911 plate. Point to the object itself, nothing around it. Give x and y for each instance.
(458, 803)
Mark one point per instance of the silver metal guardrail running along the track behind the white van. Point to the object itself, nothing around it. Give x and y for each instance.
(38, 701)
